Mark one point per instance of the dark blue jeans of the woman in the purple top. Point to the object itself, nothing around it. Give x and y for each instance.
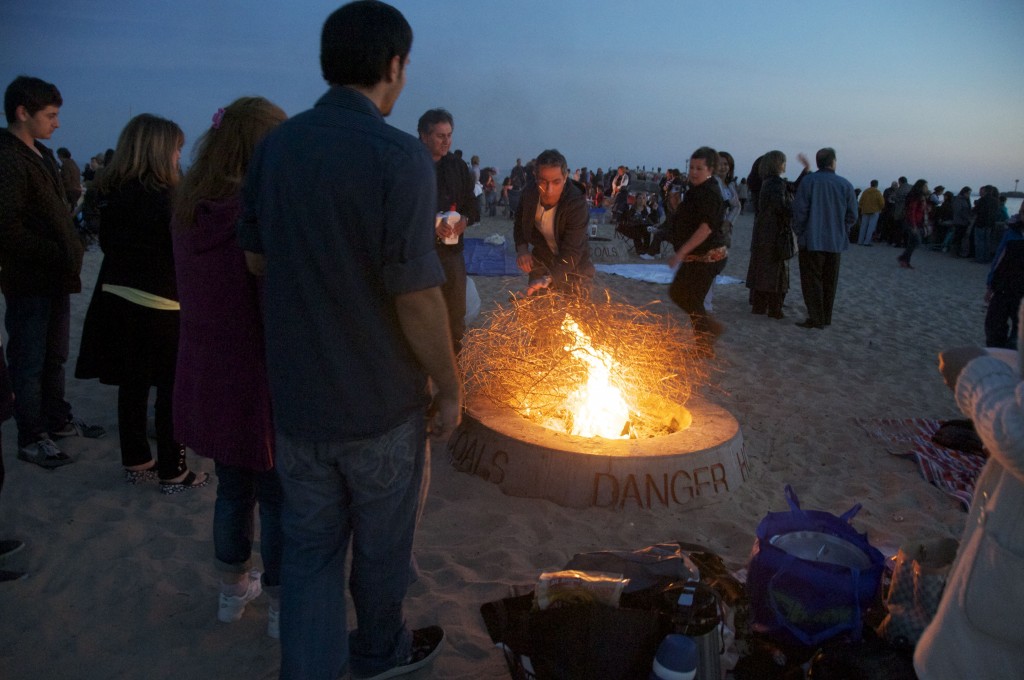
(238, 492)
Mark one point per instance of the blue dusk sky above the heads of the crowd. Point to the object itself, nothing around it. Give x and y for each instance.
(924, 90)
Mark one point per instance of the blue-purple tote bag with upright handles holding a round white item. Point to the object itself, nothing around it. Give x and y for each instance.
(812, 576)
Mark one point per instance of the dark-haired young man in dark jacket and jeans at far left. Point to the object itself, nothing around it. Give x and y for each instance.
(40, 264)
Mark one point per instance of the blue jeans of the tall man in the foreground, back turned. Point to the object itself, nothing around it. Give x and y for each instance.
(366, 492)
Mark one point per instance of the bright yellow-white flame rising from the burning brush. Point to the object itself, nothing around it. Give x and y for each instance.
(598, 407)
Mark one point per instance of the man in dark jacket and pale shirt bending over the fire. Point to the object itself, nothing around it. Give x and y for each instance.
(550, 230)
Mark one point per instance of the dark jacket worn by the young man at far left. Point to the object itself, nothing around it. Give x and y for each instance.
(40, 253)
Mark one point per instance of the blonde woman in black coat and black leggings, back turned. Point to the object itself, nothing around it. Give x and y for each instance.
(131, 334)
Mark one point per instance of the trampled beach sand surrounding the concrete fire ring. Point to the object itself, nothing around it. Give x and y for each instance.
(121, 583)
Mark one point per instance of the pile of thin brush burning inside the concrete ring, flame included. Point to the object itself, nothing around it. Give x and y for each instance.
(588, 369)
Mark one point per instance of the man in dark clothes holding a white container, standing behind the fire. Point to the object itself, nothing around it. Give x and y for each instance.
(455, 194)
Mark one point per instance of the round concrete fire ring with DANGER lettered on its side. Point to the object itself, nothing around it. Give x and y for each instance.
(686, 470)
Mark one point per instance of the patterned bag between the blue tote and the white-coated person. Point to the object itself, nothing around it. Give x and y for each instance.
(919, 579)
